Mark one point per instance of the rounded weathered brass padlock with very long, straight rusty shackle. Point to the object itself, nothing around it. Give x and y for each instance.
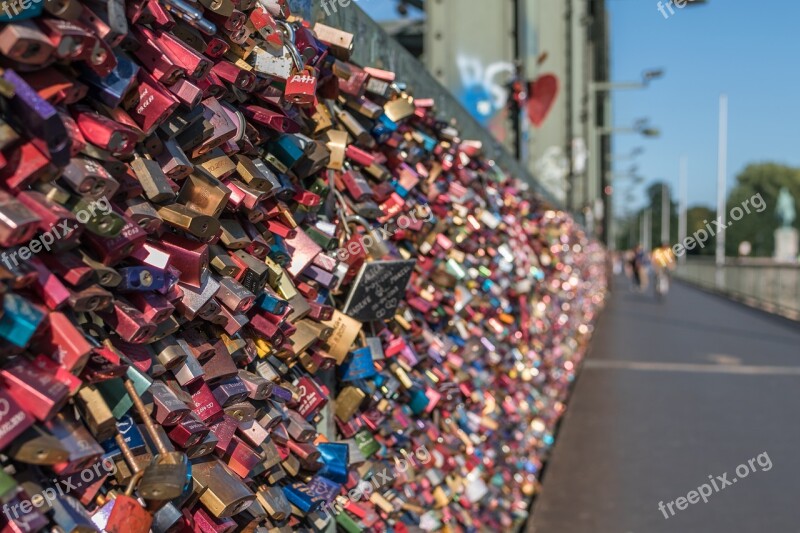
(165, 478)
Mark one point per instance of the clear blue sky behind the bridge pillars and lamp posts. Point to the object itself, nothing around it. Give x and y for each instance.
(743, 48)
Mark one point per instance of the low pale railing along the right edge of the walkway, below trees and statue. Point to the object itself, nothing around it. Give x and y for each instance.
(762, 283)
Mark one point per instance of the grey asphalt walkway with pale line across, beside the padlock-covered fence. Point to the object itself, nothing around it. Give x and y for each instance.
(670, 394)
